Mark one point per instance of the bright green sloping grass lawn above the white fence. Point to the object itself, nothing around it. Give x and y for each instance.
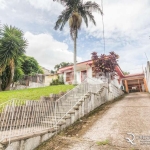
(33, 94)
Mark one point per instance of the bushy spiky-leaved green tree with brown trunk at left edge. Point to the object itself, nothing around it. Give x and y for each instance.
(12, 46)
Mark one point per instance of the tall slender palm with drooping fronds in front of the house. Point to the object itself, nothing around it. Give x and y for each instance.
(75, 11)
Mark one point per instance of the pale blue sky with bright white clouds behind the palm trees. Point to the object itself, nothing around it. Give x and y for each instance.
(126, 22)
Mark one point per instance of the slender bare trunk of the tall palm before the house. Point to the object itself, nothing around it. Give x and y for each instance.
(75, 51)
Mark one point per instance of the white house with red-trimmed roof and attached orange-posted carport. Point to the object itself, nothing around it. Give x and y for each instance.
(129, 83)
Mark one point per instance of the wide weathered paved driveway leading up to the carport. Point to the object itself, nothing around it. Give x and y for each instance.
(130, 115)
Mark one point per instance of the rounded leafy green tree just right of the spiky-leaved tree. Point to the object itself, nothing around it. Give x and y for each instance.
(31, 66)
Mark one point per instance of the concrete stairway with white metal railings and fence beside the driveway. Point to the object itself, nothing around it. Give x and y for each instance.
(20, 118)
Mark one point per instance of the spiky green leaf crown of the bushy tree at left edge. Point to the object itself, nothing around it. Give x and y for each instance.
(12, 45)
